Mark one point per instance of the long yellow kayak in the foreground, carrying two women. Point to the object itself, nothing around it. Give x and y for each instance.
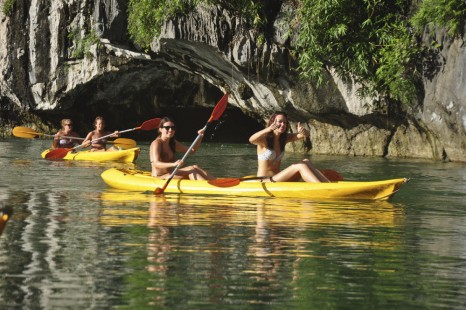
(136, 180)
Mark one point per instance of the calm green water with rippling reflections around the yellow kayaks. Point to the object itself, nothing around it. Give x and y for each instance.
(74, 243)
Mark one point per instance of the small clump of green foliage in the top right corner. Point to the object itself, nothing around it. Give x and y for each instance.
(450, 14)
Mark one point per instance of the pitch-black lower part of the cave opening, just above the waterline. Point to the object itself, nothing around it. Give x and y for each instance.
(232, 127)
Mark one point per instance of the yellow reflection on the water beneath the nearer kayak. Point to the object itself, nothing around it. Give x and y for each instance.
(122, 208)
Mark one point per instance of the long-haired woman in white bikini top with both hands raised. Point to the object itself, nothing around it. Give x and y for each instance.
(271, 143)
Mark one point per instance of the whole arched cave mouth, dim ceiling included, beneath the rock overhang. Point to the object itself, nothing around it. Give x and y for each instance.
(127, 98)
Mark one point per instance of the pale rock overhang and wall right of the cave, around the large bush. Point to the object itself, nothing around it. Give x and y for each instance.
(261, 80)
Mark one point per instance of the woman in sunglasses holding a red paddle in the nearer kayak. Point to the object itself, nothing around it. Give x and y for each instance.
(163, 150)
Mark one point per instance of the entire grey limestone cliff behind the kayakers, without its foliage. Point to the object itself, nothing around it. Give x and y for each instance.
(194, 60)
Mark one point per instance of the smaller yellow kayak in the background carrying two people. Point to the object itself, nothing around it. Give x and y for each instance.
(125, 156)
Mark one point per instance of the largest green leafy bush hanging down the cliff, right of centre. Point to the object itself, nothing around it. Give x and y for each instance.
(364, 40)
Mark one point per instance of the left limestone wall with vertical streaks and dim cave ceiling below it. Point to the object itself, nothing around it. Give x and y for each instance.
(43, 80)
